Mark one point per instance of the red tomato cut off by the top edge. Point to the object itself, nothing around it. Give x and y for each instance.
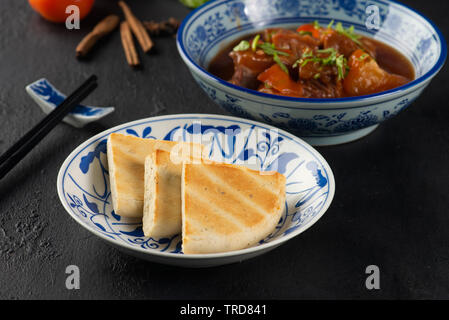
(54, 10)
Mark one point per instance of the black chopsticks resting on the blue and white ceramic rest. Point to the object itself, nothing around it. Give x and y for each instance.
(24, 145)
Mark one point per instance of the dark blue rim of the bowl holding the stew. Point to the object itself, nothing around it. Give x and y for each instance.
(387, 94)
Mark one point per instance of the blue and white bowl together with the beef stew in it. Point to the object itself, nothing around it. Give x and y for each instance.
(392, 63)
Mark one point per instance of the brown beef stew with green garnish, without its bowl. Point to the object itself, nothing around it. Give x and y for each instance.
(312, 62)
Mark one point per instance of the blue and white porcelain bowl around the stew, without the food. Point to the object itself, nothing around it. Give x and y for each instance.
(318, 121)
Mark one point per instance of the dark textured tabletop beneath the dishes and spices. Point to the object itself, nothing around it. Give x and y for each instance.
(390, 209)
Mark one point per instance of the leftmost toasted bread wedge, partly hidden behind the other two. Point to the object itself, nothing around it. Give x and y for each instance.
(126, 160)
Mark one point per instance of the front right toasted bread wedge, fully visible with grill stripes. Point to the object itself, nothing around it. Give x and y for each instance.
(228, 207)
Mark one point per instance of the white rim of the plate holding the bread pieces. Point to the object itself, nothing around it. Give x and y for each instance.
(262, 247)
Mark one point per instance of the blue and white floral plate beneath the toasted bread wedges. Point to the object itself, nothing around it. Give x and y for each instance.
(83, 182)
